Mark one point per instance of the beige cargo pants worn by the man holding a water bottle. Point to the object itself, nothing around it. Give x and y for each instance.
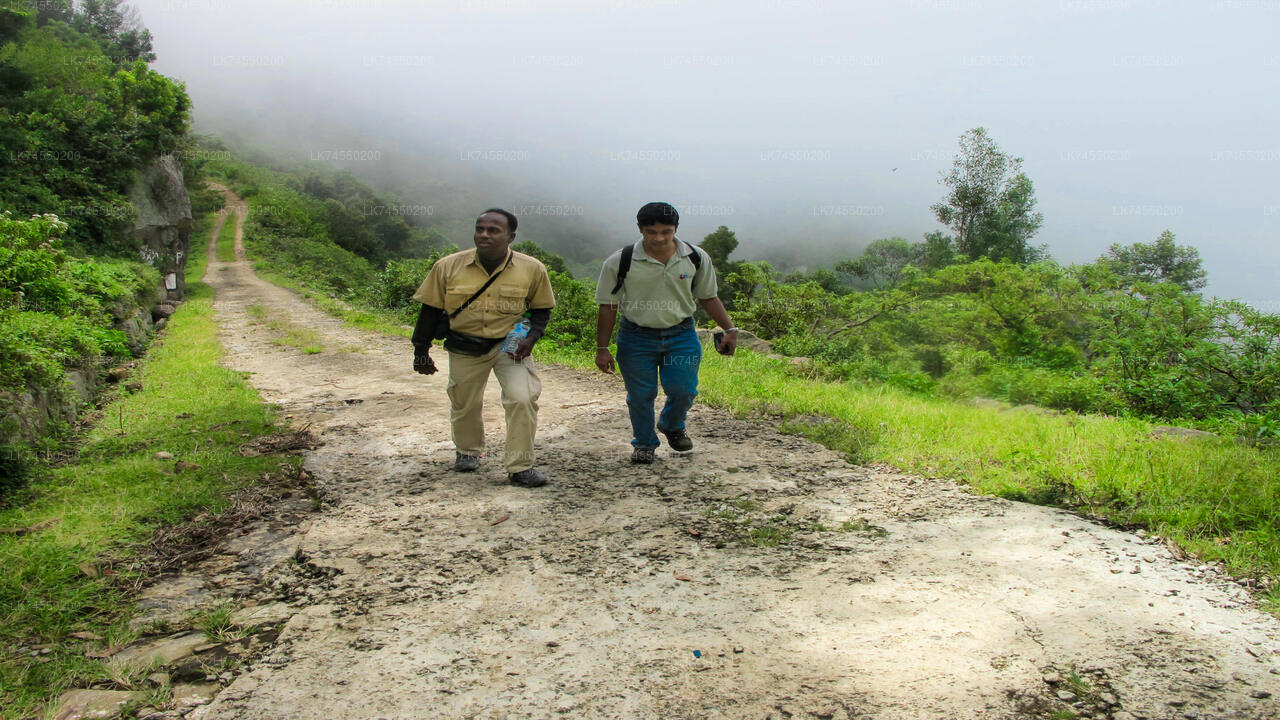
(520, 390)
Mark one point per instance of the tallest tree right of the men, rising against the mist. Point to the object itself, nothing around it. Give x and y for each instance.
(990, 204)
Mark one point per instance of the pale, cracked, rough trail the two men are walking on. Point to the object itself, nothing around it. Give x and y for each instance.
(627, 593)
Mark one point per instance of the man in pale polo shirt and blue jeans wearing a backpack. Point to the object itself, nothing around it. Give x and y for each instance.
(657, 285)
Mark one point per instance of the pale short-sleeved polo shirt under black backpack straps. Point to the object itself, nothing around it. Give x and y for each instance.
(657, 295)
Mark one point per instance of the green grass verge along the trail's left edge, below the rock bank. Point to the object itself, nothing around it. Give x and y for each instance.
(115, 495)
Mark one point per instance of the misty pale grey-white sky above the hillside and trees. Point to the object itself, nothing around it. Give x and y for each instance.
(810, 127)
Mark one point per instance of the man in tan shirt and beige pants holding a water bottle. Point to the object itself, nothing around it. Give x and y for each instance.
(510, 286)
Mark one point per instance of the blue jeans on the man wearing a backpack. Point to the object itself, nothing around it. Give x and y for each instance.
(650, 356)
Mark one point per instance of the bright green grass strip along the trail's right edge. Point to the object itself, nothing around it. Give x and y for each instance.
(1215, 499)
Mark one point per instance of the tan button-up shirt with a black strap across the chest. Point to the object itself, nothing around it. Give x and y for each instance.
(523, 285)
